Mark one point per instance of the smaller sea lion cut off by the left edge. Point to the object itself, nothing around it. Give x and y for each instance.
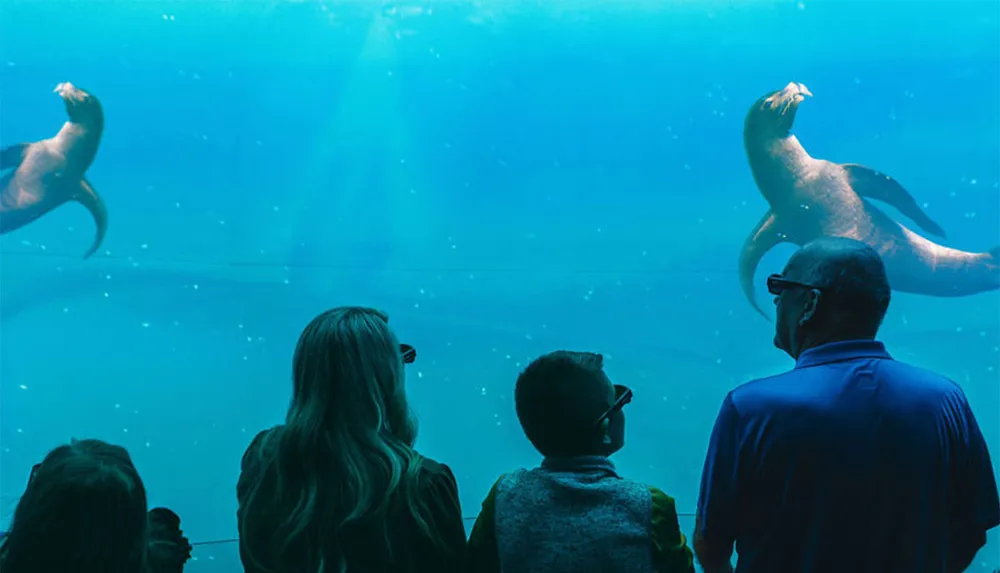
(52, 171)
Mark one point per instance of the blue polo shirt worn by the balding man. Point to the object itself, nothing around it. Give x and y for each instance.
(850, 462)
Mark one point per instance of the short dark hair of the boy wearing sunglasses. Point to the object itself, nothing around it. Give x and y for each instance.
(556, 397)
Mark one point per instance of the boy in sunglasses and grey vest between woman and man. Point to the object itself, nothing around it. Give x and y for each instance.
(575, 514)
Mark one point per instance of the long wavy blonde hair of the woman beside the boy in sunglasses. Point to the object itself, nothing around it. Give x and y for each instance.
(344, 458)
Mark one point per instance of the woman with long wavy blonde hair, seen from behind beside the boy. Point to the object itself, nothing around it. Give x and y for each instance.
(338, 487)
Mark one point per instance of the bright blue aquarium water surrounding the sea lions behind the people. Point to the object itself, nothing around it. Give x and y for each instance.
(504, 178)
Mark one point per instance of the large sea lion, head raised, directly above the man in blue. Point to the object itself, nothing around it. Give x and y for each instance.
(812, 197)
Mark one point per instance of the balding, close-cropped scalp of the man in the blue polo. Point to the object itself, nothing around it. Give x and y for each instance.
(851, 276)
